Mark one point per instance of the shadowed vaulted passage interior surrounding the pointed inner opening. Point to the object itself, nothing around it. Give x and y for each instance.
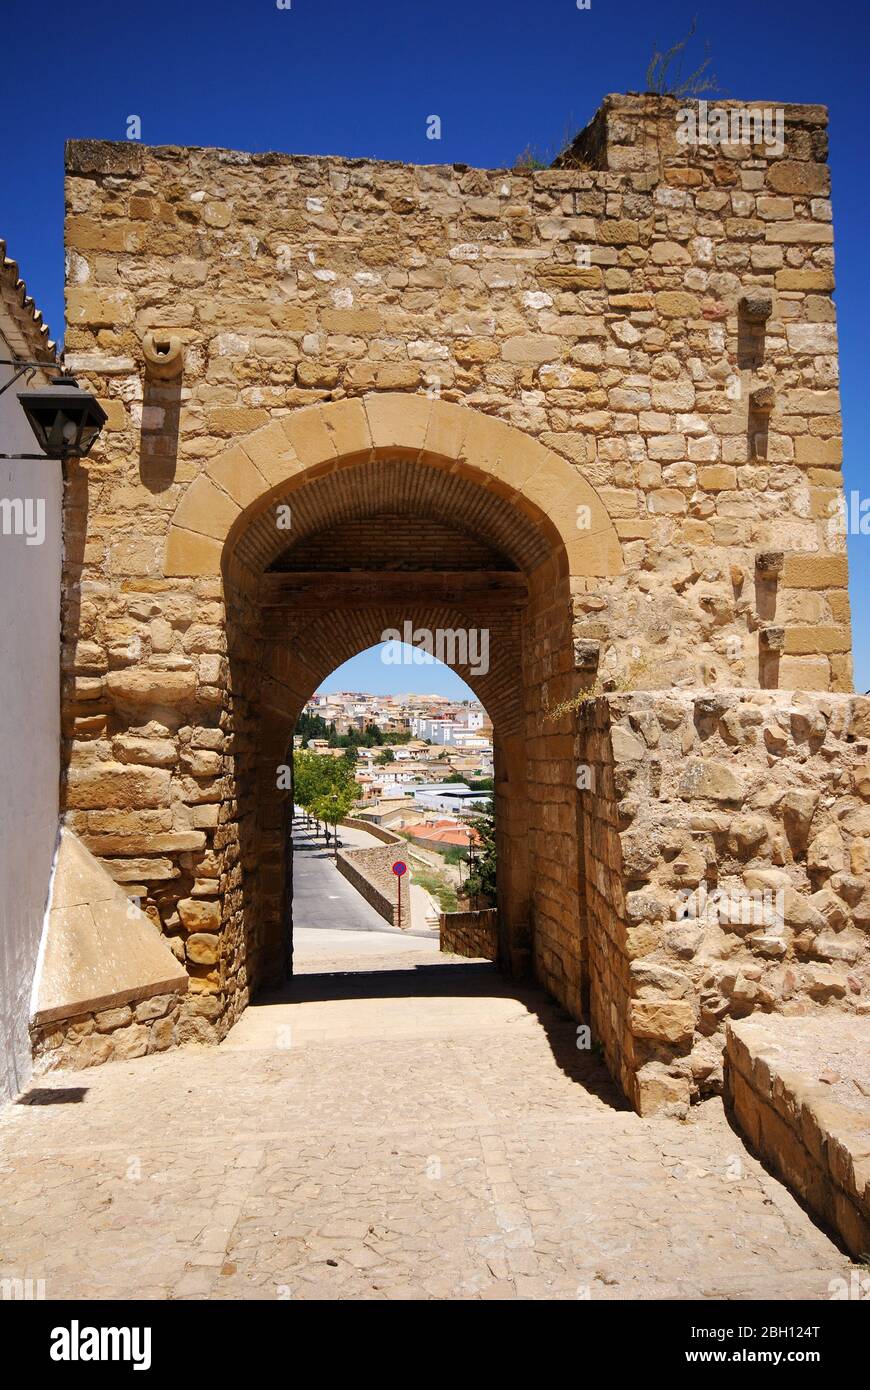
(402, 546)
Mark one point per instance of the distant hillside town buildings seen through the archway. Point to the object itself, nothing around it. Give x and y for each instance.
(423, 762)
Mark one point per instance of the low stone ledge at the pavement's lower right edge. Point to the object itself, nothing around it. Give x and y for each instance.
(818, 1139)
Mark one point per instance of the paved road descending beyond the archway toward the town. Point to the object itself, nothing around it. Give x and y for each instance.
(329, 913)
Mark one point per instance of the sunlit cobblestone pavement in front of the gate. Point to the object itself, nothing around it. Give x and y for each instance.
(404, 1132)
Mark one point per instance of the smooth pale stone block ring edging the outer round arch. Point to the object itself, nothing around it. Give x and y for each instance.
(277, 459)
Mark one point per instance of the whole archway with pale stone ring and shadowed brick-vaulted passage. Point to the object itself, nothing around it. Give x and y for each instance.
(434, 477)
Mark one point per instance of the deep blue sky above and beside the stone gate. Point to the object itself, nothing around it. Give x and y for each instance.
(361, 79)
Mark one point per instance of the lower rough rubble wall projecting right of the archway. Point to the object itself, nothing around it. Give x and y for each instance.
(728, 846)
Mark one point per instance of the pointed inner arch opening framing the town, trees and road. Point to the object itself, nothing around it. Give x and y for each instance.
(404, 736)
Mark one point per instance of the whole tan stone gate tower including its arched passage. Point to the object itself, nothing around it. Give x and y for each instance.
(593, 411)
